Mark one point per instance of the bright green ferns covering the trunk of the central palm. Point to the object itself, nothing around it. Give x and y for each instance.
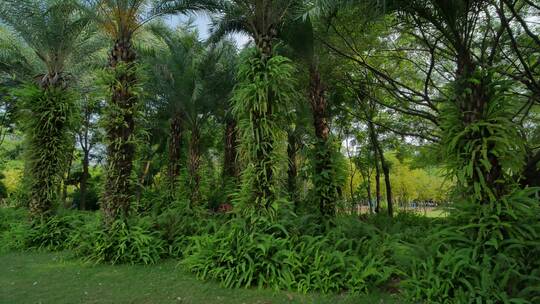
(265, 88)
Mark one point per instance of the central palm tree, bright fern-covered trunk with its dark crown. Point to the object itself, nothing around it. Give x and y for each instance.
(262, 20)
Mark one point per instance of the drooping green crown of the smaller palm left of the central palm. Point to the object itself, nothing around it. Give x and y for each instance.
(190, 77)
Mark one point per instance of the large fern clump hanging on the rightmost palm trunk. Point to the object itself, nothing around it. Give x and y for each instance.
(484, 154)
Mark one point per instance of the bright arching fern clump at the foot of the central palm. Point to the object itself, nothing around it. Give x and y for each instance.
(258, 252)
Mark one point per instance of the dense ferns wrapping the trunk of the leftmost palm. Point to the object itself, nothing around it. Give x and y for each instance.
(50, 116)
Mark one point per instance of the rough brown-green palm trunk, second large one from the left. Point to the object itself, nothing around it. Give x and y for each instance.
(120, 129)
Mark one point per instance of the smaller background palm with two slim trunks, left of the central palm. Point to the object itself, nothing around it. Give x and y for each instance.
(192, 80)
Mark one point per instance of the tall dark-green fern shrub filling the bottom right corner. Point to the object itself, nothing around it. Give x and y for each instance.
(488, 252)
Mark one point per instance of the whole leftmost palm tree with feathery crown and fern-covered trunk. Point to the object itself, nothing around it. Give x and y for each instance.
(58, 34)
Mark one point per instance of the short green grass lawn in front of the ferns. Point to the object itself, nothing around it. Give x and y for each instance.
(42, 277)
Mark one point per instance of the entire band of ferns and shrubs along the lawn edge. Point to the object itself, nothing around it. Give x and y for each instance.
(480, 253)
